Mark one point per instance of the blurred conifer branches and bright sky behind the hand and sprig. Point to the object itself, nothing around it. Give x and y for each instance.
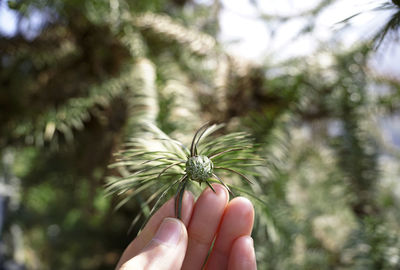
(316, 83)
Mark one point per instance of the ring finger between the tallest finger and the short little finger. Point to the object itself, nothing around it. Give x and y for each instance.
(236, 222)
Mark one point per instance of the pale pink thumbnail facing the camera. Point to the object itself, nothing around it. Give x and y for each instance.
(169, 232)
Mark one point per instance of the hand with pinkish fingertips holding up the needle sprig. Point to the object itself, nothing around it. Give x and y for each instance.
(168, 243)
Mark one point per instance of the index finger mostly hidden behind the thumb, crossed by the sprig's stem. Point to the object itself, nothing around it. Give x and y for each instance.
(167, 210)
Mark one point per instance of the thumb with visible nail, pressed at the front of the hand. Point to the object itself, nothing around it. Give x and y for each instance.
(165, 251)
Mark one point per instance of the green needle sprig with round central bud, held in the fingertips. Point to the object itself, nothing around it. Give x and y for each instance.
(164, 165)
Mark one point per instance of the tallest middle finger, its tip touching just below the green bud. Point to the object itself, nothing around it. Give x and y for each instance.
(207, 214)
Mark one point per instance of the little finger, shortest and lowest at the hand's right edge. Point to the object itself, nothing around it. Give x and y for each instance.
(242, 255)
